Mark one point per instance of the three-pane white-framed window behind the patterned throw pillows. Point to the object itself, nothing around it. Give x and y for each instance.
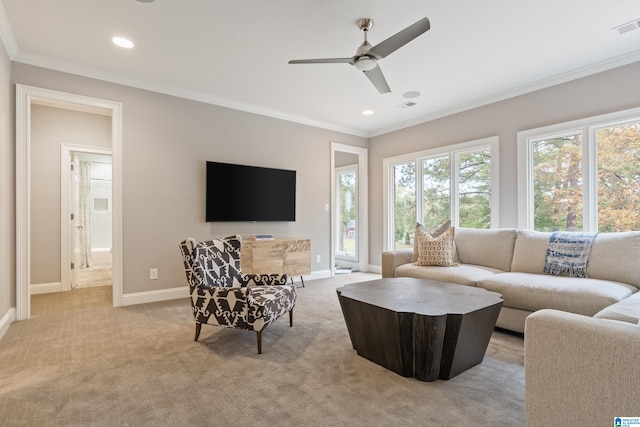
(457, 182)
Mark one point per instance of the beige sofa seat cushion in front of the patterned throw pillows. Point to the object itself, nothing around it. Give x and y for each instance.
(464, 274)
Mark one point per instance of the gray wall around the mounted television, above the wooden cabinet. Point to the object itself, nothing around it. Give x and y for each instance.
(166, 141)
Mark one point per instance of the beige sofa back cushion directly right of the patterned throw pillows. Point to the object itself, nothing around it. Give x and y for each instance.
(489, 247)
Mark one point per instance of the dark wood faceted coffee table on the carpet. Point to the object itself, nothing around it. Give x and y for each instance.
(420, 328)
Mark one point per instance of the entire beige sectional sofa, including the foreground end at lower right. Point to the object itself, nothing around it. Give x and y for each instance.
(582, 335)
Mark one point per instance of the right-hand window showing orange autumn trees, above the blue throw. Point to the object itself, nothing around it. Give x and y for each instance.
(583, 175)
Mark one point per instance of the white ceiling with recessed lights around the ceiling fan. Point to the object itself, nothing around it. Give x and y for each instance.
(234, 53)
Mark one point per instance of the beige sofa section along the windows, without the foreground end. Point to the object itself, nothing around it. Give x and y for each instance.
(511, 262)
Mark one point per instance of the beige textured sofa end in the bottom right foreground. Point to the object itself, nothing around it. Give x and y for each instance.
(579, 369)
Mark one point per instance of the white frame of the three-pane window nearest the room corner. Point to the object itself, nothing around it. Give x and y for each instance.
(453, 152)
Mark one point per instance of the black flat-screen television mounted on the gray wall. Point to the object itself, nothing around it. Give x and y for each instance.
(249, 193)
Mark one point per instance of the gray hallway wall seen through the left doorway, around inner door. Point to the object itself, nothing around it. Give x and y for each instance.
(51, 127)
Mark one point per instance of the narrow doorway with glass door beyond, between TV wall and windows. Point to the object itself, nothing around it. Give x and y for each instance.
(349, 244)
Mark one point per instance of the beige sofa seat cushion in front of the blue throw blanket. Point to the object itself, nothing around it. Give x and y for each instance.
(573, 294)
